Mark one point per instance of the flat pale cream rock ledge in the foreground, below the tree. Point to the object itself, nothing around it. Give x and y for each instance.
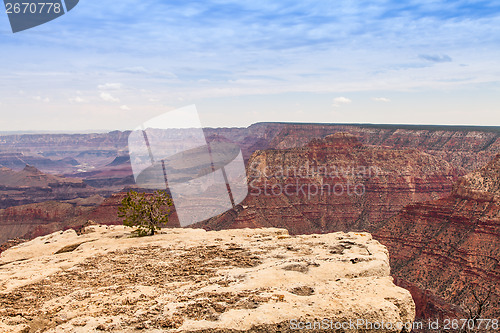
(190, 280)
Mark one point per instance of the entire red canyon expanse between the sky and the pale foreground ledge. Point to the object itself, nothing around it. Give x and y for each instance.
(422, 191)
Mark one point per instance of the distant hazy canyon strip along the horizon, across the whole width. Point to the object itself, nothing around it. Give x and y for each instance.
(467, 147)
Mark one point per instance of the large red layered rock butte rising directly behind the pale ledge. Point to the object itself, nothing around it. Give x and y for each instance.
(335, 184)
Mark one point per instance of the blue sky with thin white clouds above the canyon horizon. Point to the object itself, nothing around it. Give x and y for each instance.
(114, 65)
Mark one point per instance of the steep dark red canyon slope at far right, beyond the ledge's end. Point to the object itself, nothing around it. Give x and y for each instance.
(450, 246)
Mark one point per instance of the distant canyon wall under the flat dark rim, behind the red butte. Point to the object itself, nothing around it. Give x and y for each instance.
(465, 147)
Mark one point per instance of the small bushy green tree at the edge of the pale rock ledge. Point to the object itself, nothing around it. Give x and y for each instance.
(147, 212)
